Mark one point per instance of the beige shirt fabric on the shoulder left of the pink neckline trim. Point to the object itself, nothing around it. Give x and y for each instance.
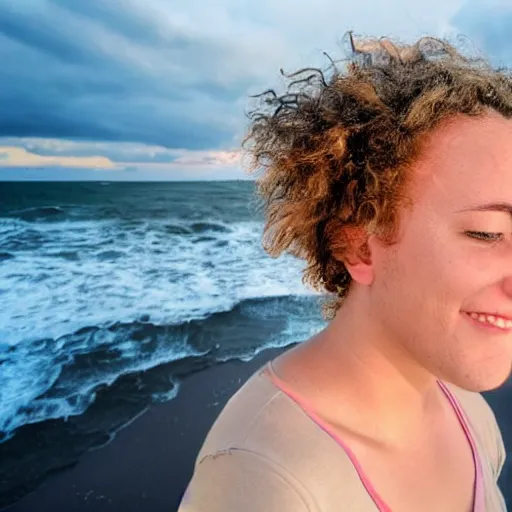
(264, 444)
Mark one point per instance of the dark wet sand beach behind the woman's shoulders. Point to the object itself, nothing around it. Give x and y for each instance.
(148, 464)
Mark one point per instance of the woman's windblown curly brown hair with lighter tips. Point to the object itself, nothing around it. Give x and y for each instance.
(336, 152)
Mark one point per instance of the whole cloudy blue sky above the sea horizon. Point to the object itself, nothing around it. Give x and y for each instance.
(158, 89)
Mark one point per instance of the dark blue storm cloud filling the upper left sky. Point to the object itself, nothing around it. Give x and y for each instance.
(82, 70)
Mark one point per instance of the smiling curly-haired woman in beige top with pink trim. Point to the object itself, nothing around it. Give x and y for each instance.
(392, 179)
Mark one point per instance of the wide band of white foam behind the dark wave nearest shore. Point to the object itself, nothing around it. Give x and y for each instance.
(171, 278)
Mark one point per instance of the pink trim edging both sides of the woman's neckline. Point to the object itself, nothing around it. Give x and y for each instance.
(478, 502)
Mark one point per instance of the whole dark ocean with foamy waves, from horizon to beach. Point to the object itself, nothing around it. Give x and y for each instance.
(111, 293)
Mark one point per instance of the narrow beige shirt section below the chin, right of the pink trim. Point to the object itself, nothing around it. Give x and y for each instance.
(483, 422)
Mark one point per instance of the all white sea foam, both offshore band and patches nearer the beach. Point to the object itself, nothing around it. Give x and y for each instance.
(67, 284)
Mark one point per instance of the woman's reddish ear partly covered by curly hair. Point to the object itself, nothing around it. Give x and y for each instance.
(358, 261)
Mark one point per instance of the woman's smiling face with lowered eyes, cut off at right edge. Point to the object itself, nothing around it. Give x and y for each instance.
(453, 259)
